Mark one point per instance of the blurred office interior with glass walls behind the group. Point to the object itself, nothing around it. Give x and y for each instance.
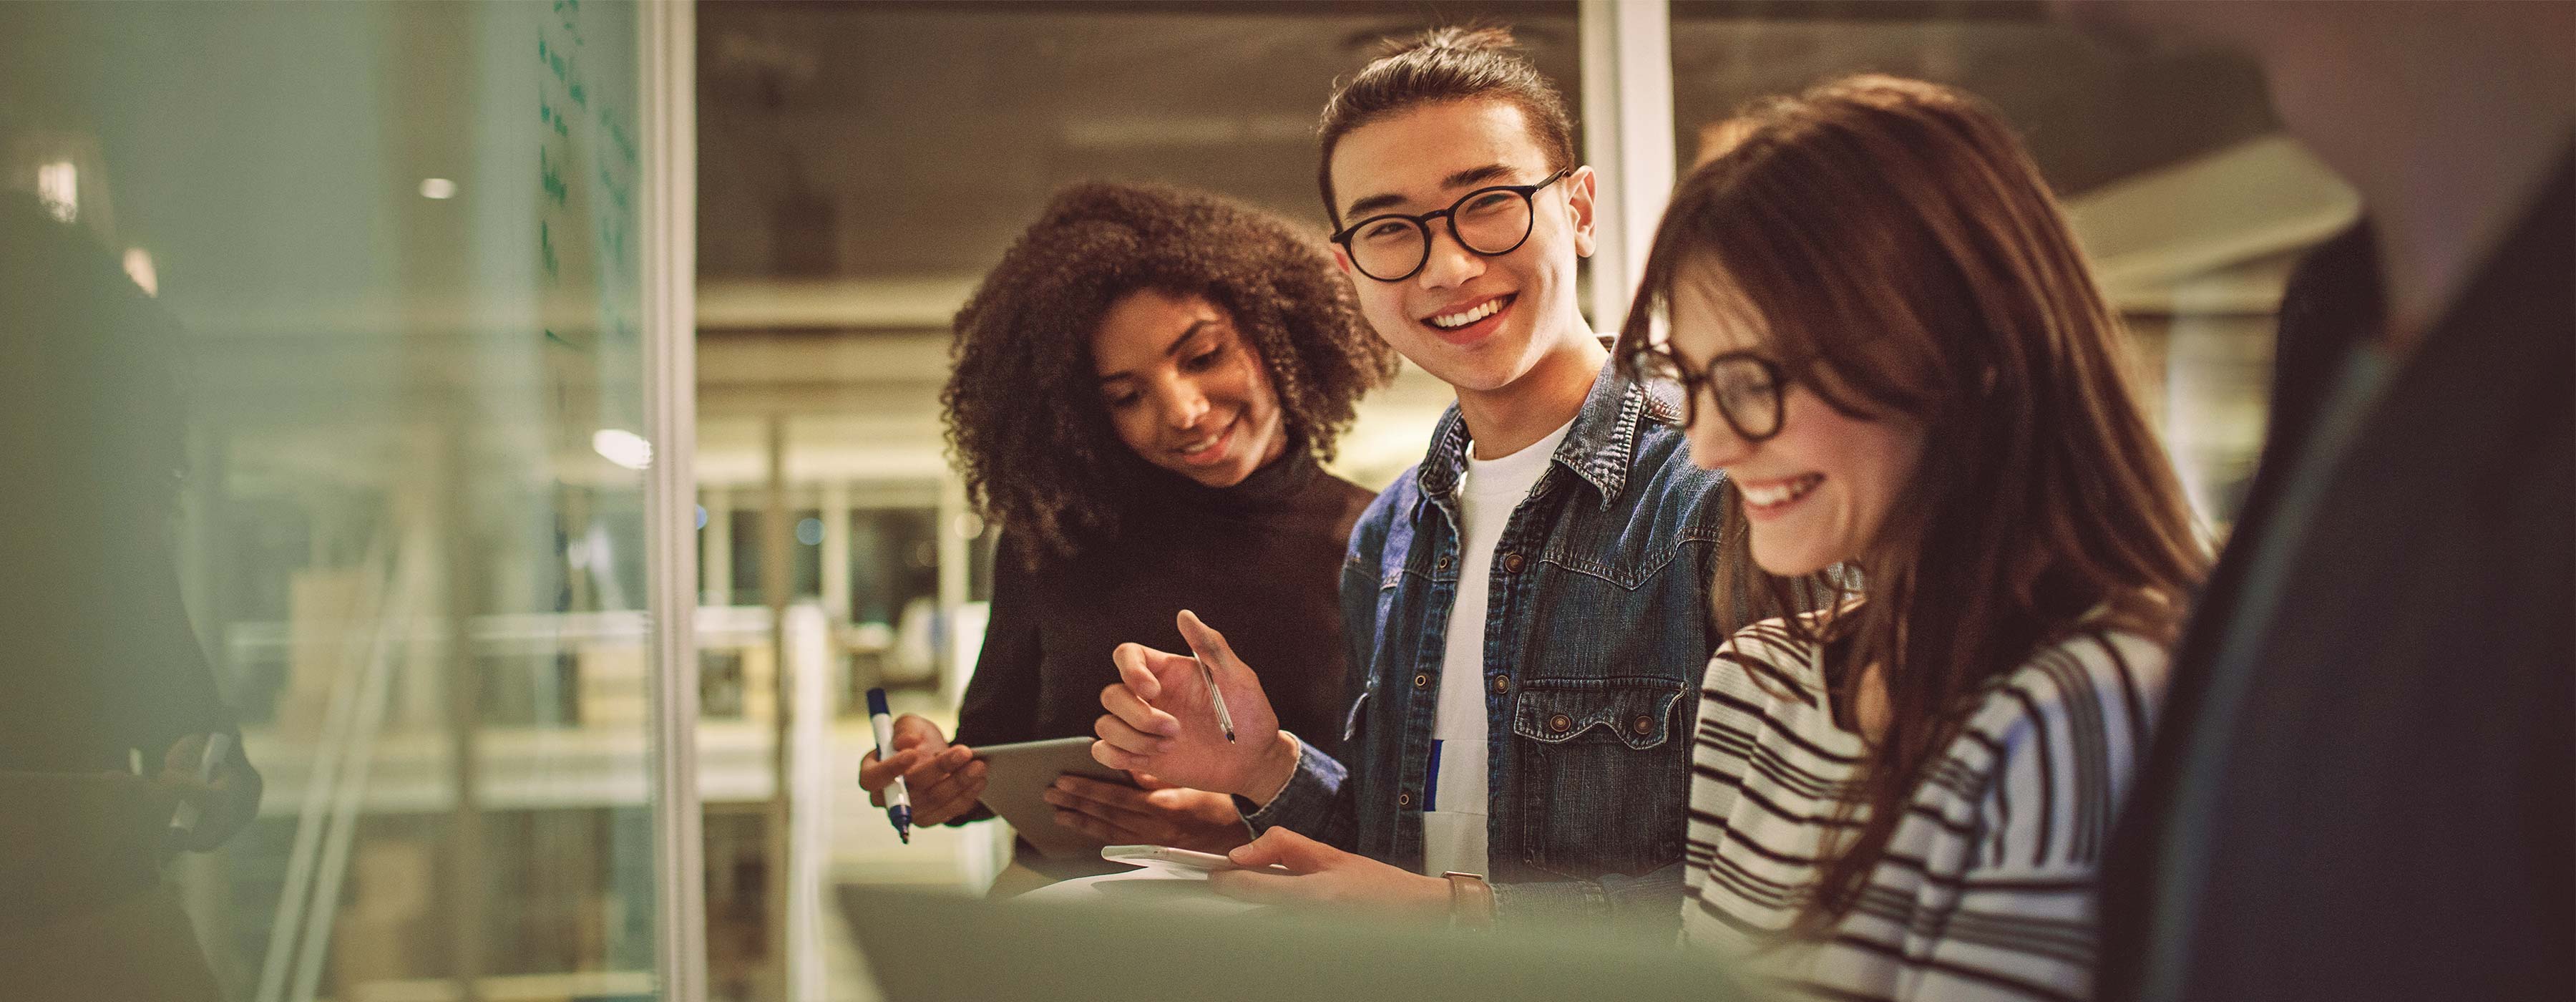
(560, 395)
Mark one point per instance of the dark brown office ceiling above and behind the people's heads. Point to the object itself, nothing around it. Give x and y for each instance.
(913, 140)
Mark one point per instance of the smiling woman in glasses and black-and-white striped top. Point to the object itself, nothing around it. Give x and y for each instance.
(1895, 349)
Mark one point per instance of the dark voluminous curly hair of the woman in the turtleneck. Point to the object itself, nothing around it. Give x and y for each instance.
(1024, 408)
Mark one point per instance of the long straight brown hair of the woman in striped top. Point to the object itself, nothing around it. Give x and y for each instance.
(1900, 251)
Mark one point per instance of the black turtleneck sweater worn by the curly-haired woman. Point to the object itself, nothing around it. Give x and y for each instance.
(1258, 560)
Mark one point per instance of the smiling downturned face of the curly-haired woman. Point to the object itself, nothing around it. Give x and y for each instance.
(1186, 390)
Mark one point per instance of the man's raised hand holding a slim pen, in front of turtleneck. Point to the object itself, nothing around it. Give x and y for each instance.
(1199, 723)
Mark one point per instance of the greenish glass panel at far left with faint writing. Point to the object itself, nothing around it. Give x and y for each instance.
(385, 261)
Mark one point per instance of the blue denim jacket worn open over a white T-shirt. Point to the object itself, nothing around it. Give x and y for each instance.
(1598, 630)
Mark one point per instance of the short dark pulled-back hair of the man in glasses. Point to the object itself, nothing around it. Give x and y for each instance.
(1436, 68)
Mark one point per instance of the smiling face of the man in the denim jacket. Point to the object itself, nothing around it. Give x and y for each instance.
(1477, 323)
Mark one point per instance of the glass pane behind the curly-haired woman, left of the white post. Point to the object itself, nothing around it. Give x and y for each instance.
(862, 166)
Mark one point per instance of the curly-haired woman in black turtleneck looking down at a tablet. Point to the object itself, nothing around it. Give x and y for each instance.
(1142, 395)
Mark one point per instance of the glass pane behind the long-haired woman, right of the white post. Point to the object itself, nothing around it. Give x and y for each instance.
(2168, 164)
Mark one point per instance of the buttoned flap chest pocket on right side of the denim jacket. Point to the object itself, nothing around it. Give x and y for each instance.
(1606, 774)
